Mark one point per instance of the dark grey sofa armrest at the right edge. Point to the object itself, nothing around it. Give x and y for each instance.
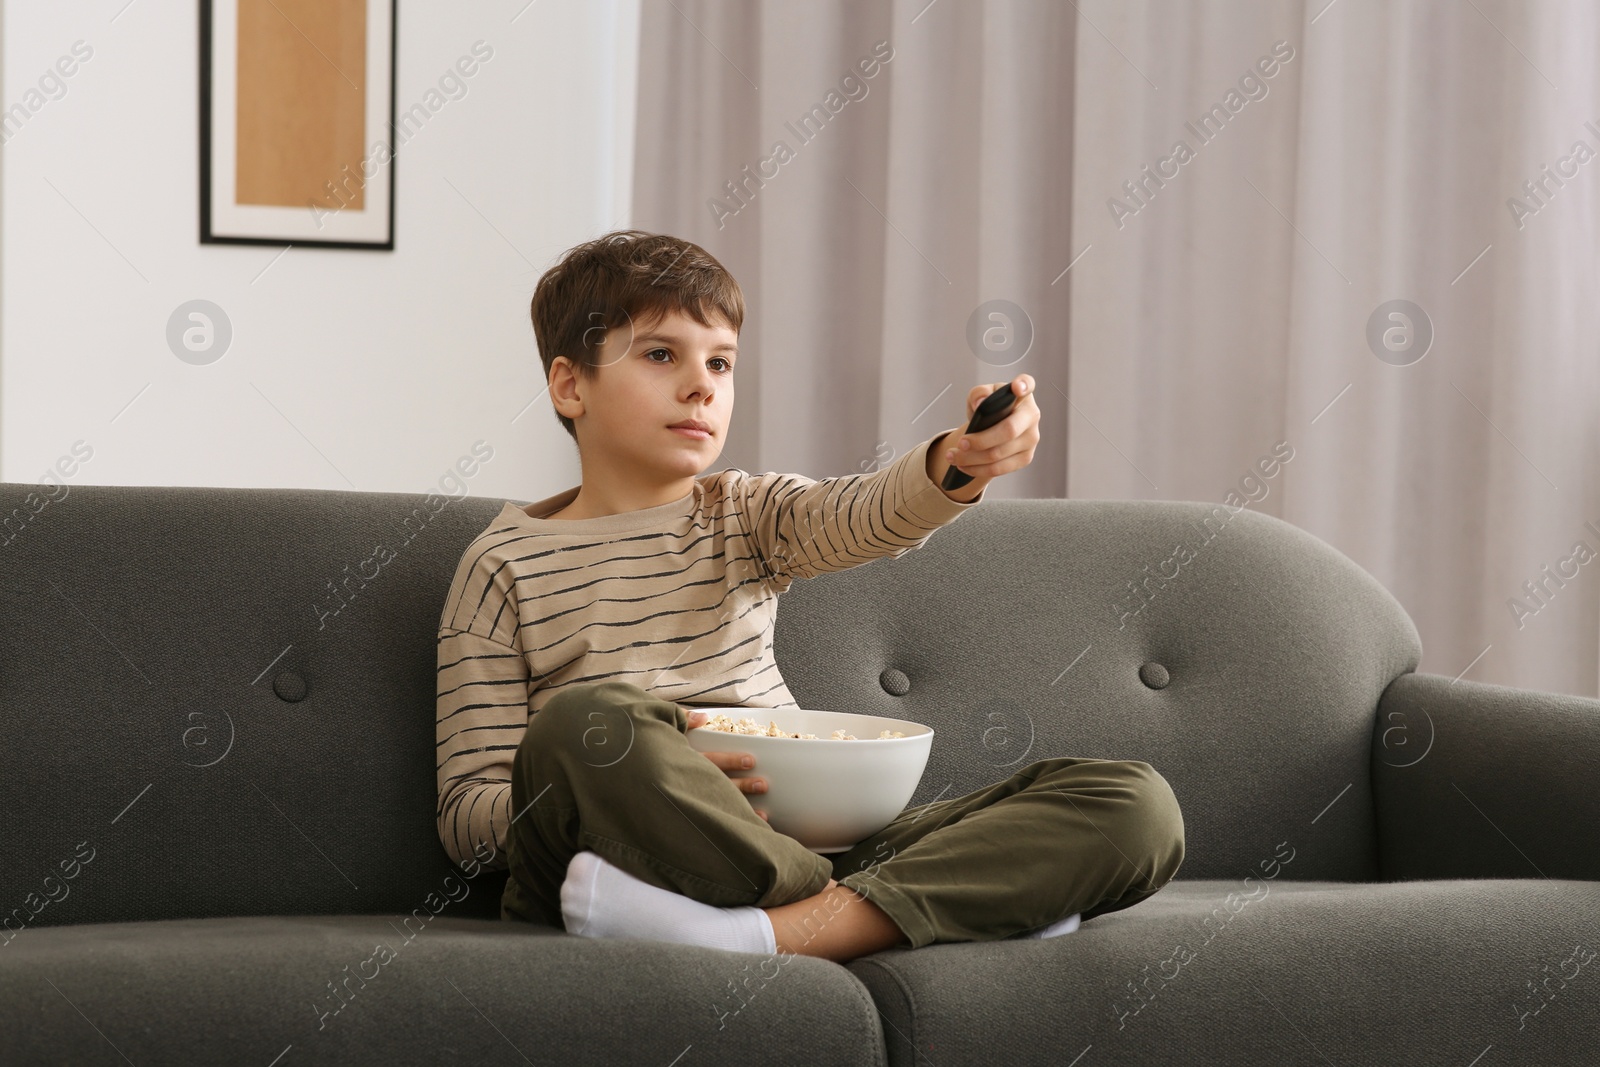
(1486, 781)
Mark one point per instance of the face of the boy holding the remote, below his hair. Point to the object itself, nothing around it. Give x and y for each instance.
(650, 378)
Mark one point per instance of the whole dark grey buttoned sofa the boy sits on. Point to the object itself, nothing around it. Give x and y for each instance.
(220, 847)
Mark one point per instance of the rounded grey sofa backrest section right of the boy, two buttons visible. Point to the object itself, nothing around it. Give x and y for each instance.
(1236, 653)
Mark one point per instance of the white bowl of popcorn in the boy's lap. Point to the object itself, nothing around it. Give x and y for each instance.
(833, 778)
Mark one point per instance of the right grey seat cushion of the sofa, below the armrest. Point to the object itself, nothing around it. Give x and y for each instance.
(1268, 973)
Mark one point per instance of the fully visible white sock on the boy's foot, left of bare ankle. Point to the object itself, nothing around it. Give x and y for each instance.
(601, 900)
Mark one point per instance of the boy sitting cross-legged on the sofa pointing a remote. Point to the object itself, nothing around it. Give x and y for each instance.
(582, 631)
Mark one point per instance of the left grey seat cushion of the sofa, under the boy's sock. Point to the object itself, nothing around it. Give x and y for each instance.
(263, 991)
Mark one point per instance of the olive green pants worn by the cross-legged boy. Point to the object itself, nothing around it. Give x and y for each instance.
(609, 769)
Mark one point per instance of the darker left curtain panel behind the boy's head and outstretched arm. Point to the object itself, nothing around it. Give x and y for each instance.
(908, 201)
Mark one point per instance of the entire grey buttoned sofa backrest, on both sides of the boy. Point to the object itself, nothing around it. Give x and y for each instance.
(220, 701)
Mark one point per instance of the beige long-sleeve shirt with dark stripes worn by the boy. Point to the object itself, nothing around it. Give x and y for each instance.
(678, 599)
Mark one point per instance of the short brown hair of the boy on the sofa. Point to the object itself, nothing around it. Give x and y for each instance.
(626, 279)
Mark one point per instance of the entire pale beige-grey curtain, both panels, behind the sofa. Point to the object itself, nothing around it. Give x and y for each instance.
(1377, 250)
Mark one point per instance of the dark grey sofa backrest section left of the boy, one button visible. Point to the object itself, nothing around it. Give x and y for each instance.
(225, 698)
